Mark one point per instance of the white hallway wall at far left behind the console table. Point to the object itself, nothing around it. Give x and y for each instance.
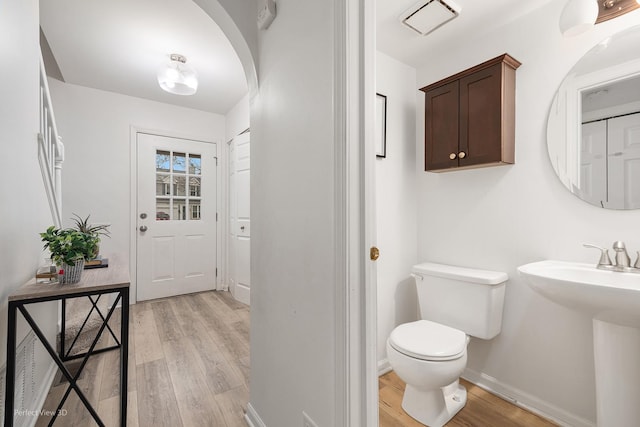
(24, 211)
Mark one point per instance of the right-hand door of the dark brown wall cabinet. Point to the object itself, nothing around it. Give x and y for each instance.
(481, 116)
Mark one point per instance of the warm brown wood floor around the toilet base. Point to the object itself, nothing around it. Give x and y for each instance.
(483, 409)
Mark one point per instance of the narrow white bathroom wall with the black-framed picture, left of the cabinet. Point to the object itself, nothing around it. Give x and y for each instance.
(396, 202)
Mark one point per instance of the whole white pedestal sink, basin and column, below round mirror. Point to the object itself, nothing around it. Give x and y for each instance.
(612, 299)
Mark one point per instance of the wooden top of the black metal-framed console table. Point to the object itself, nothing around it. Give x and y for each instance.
(116, 276)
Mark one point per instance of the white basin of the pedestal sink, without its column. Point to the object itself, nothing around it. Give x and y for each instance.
(608, 295)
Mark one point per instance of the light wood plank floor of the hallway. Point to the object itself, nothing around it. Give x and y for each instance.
(188, 366)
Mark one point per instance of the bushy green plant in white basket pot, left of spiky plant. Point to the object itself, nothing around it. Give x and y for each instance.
(69, 249)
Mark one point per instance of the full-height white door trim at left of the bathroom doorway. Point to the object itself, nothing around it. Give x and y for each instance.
(356, 394)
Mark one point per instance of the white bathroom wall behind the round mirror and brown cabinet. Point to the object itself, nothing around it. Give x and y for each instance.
(502, 217)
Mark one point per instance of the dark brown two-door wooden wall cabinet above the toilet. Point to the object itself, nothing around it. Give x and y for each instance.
(470, 117)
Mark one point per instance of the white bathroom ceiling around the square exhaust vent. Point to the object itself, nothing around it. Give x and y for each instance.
(476, 18)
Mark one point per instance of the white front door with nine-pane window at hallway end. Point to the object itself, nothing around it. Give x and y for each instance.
(176, 216)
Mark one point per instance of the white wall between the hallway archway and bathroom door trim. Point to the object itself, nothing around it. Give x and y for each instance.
(292, 209)
